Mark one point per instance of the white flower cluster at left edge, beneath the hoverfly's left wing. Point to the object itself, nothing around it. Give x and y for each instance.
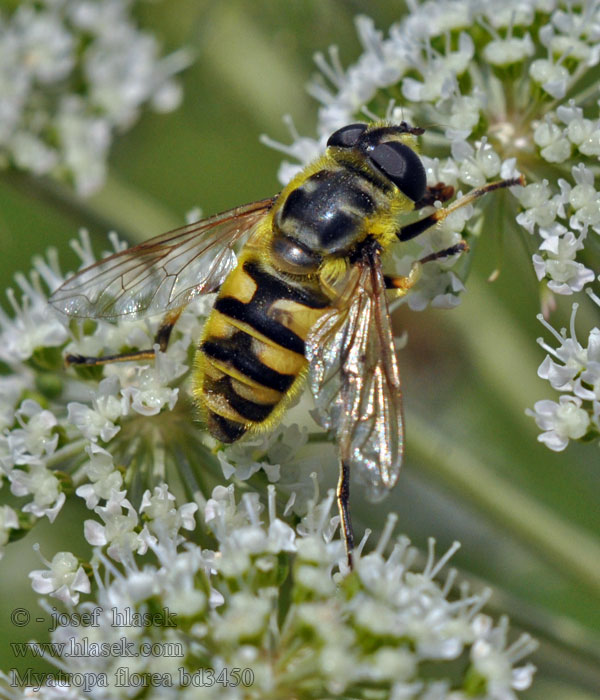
(95, 432)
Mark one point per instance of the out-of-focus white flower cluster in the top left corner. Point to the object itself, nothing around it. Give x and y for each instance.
(71, 74)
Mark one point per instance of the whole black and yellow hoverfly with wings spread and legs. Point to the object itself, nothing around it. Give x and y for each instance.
(307, 294)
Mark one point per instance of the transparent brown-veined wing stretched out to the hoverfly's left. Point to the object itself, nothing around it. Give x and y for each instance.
(164, 273)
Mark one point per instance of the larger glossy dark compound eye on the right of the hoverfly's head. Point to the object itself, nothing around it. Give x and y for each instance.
(402, 166)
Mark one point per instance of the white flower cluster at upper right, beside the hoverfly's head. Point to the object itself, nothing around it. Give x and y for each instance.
(500, 89)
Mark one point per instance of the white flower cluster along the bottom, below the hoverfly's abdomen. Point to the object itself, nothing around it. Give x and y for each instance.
(267, 613)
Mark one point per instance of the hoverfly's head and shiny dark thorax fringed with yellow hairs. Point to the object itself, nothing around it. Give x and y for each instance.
(368, 177)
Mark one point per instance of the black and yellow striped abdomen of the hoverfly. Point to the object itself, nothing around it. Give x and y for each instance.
(250, 361)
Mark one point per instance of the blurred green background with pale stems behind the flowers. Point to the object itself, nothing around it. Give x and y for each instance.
(528, 519)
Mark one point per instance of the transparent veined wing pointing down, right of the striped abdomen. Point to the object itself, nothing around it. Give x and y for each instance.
(355, 380)
